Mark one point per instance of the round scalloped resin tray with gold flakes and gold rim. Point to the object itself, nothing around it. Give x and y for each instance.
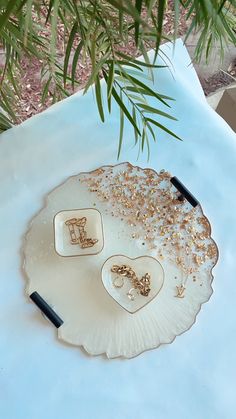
(142, 215)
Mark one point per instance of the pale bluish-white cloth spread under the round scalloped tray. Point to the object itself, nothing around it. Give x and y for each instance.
(41, 377)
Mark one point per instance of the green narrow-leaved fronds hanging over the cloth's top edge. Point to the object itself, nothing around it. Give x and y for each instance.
(96, 34)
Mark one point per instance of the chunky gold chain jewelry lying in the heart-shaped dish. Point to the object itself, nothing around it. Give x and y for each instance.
(142, 285)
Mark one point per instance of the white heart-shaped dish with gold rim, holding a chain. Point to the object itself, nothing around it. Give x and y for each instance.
(124, 280)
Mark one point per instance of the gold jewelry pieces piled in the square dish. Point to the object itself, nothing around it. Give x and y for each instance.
(82, 240)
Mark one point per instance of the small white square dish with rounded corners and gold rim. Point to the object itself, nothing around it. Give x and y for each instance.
(78, 232)
